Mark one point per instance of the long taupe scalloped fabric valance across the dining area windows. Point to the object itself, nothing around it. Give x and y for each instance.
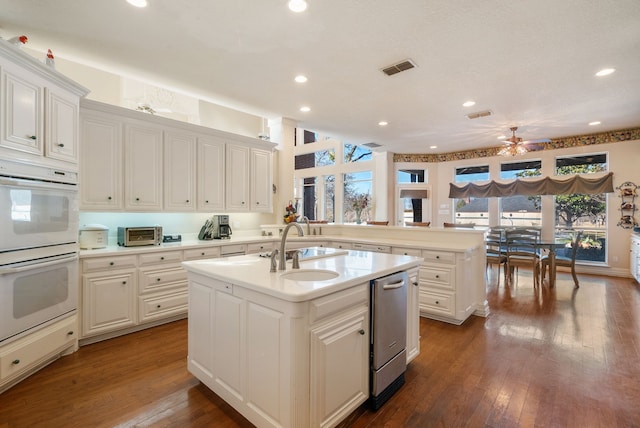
(544, 186)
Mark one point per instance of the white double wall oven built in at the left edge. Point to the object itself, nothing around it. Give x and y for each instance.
(38, 247)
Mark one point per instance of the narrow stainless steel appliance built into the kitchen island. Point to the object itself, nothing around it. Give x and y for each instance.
(388, 336)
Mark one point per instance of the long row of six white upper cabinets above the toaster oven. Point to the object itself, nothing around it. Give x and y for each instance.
(133, 161)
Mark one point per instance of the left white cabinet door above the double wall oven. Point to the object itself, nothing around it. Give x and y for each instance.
(22, 114)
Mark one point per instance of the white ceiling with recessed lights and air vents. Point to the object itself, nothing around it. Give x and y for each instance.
(531, 62)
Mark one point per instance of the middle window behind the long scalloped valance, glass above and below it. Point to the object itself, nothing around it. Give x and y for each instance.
(520, 210)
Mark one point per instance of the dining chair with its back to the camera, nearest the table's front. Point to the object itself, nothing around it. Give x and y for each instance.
(522, 251)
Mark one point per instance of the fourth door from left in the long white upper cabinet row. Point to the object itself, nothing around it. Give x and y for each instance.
(211, 175)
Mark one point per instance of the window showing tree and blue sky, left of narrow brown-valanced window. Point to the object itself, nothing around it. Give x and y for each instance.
(357, 197)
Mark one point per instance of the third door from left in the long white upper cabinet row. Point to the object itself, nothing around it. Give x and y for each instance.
(179, 172)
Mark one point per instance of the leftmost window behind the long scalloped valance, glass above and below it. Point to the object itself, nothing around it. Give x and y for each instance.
(472, 210)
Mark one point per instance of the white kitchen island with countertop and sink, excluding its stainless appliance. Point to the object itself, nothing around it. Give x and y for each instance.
(288, 352)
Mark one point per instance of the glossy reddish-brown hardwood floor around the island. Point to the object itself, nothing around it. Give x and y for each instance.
(559, 357)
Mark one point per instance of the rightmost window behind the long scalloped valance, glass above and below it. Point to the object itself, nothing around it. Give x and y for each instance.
(586, 212)
